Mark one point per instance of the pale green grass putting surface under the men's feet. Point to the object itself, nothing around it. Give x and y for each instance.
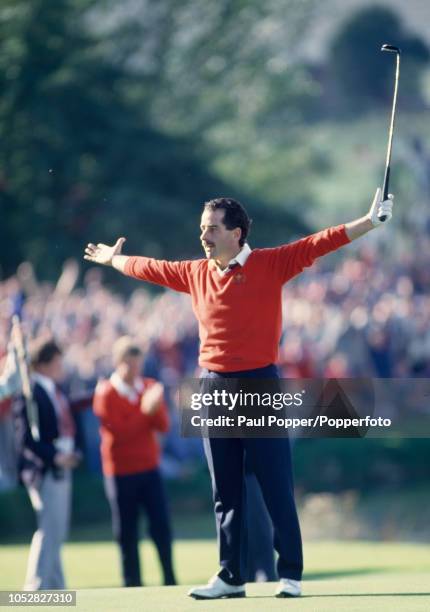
(339, 576)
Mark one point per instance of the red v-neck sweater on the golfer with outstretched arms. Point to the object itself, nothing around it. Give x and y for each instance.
(239, 313)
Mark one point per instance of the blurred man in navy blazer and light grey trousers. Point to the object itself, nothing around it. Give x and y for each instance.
(45, 466)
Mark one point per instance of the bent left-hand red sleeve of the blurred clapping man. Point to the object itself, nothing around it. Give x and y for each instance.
(112, 419)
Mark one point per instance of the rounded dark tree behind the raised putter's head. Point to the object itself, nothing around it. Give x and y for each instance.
(364, 75)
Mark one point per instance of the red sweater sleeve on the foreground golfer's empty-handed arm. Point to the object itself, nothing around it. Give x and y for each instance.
(171, 274)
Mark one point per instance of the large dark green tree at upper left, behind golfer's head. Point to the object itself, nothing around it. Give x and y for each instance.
(81, 153)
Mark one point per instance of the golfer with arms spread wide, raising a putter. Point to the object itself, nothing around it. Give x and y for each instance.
(236, 297)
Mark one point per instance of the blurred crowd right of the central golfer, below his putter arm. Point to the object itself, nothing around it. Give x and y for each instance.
(368, 316)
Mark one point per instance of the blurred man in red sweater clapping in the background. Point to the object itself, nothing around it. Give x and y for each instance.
(131, 410)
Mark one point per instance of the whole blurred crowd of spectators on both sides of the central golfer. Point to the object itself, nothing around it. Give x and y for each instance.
(355, 317)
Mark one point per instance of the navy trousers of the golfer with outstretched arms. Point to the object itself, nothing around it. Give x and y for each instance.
(270, 461)
